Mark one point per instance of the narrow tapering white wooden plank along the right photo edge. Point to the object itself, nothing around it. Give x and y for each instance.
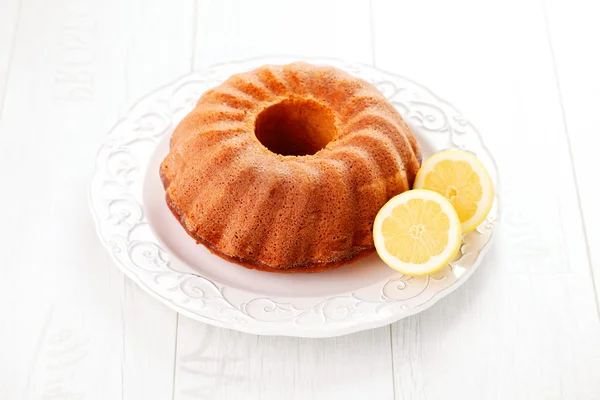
(573, 30)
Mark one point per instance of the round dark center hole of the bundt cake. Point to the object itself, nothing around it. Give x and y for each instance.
(295, 127)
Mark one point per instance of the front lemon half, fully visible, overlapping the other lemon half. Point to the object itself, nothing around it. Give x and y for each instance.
(417, 232)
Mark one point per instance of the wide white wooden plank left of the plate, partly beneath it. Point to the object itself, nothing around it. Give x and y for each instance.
(78, 328)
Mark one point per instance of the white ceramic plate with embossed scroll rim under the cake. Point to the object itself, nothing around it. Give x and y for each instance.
(149, 245)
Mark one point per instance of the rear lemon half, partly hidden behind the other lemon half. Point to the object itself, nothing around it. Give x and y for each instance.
(462, 179)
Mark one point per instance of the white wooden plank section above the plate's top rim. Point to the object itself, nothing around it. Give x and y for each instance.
(231, 31)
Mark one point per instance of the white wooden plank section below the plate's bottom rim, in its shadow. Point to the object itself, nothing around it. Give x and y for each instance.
(216, 363)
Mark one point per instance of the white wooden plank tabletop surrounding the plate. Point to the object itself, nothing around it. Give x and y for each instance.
(525, 326)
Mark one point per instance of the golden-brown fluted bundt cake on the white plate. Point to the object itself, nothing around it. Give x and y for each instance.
(285, 167)
